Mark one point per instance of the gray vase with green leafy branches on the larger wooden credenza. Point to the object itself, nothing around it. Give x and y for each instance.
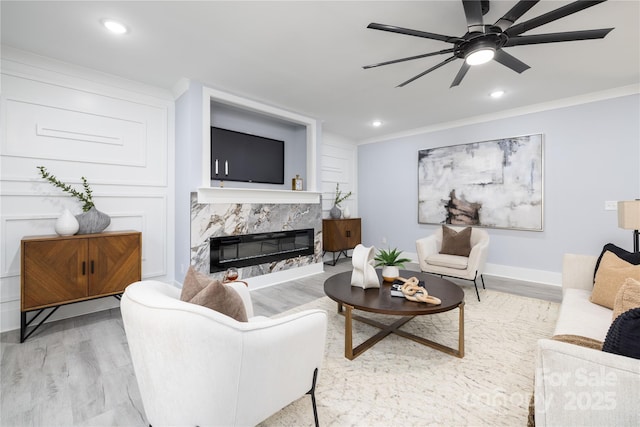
(92, 220)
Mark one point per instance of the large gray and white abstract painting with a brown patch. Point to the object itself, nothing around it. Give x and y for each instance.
(496, 184)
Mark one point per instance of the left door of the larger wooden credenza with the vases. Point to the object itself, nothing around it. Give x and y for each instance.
(54, 272)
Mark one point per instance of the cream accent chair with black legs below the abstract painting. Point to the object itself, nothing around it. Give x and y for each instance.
(467, 268)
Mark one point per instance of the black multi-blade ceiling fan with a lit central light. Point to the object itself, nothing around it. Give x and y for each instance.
(482, 42)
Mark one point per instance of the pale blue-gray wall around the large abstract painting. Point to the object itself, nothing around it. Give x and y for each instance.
(591, 155)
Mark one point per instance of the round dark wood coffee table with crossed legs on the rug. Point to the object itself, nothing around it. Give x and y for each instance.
(379, 300)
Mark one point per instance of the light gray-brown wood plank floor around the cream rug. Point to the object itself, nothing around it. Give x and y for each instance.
(77, 372)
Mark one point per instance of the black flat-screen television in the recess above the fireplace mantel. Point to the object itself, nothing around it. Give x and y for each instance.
(237, 156)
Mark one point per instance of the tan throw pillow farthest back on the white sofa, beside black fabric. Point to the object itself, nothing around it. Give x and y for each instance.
(612, 273)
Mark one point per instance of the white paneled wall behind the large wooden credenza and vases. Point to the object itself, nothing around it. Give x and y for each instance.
(77, 122)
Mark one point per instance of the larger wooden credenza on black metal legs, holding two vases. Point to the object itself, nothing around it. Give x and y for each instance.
(59, 270)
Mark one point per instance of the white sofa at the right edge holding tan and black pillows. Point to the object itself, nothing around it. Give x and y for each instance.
(579, 386)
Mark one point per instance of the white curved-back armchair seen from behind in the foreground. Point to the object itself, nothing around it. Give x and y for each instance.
(196, 366)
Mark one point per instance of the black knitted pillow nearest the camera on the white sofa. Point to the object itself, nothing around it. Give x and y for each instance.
(623, 337)
